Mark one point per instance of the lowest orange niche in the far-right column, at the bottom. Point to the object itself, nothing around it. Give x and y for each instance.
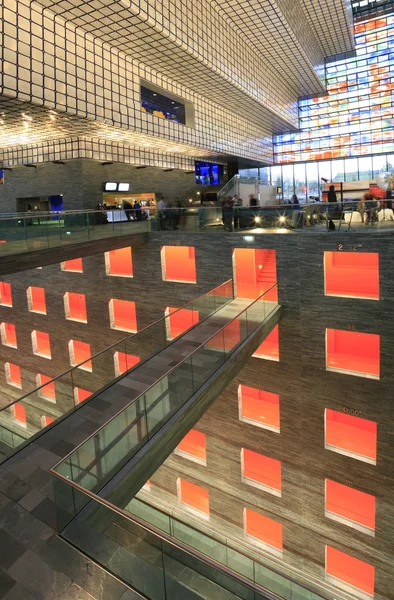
(350, 573)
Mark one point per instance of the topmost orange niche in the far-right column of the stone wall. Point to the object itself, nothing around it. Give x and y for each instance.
(352, 274)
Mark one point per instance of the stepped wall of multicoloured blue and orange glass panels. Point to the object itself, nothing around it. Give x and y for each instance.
(356, 117)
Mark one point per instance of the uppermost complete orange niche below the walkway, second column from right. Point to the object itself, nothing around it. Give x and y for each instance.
(259, 408)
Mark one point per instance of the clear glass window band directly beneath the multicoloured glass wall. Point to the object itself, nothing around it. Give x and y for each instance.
(305, 179)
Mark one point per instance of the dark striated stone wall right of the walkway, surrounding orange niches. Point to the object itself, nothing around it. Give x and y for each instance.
(306, 389)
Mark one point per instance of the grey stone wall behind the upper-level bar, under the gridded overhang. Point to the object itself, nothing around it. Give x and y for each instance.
(81, 182)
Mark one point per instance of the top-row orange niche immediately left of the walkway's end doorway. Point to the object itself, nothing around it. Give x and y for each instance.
(178, 263)
